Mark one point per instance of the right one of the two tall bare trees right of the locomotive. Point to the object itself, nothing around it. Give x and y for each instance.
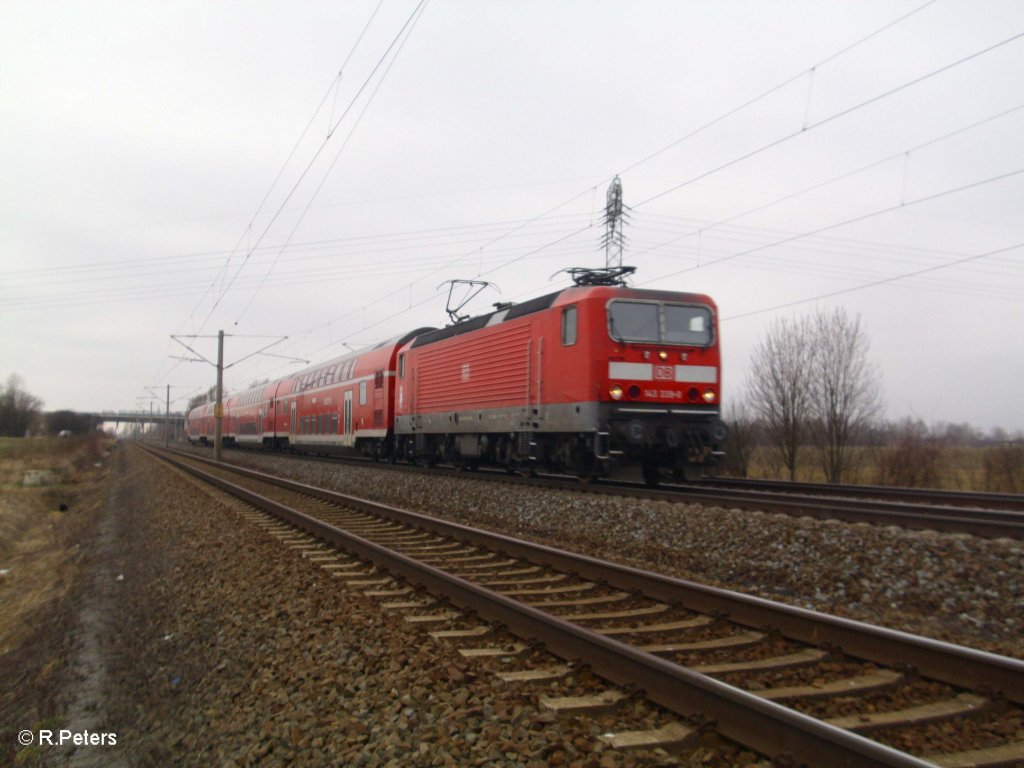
(844, 388)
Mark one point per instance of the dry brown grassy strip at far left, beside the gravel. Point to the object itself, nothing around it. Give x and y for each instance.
(51, 492)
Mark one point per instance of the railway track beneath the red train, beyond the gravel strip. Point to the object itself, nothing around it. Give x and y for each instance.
(808, 500)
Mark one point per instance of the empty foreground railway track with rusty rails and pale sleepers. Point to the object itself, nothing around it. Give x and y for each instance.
(776, 678)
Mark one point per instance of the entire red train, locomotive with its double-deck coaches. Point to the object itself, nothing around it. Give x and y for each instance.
(598, 380)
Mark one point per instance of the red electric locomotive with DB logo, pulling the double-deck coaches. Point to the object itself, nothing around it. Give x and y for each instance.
(586, 380)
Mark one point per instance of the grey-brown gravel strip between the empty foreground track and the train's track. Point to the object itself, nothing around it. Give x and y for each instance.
(958, 588)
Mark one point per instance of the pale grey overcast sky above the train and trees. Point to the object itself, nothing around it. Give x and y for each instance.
(317, 170)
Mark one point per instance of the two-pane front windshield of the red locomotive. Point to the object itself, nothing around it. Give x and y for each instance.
(655, 323)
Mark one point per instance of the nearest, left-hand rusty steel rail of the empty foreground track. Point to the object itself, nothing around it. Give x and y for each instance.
(762, 726)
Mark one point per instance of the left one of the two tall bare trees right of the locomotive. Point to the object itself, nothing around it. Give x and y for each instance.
(779, 387)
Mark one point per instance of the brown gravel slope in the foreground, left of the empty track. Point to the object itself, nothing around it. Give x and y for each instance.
(210, 645)
